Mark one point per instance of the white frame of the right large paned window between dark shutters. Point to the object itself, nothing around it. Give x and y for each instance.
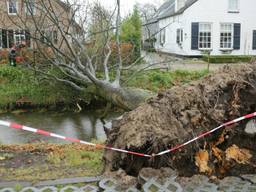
(222, 45)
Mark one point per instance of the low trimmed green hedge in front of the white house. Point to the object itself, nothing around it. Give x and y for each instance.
(228, 59)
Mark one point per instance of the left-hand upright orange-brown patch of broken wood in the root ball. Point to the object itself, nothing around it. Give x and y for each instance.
(202, 158)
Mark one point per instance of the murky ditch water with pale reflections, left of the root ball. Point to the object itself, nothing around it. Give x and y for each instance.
(86, 126)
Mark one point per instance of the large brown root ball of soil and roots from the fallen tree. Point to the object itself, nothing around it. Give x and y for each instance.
(181, 113)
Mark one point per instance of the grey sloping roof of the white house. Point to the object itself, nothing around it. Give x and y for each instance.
(168, 10)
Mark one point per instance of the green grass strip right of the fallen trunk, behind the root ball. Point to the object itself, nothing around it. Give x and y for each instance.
(157, 80)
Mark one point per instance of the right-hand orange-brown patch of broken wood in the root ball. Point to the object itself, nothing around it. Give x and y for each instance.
(241, 156)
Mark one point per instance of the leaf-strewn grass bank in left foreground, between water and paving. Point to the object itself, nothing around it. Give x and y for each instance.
(40, 162)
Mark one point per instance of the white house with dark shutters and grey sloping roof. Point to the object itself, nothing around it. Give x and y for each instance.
(193, 27)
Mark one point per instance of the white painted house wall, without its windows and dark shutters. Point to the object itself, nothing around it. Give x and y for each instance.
(215, 12)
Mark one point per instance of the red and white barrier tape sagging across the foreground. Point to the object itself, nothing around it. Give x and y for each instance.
(46, 133)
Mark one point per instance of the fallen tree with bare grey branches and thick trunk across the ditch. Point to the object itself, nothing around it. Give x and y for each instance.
(74, 43)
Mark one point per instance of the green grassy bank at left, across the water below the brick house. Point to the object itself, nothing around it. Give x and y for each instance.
(20, 84)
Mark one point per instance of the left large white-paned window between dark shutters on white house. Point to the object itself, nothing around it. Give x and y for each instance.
(205, 36)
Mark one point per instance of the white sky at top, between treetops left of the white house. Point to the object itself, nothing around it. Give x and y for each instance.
(127, 5)
